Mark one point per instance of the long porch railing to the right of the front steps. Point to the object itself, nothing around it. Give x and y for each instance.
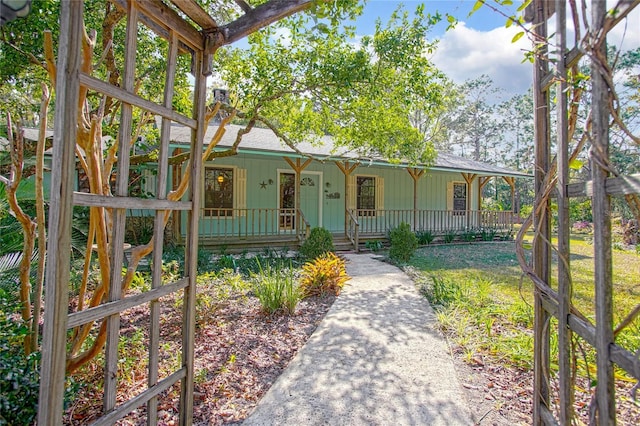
(379, 222)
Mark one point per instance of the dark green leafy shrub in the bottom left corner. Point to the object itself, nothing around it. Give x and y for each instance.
(19, 377)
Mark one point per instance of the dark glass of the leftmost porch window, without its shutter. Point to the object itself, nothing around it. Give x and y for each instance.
(218, 191)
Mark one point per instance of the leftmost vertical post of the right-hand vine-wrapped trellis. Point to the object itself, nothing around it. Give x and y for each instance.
(542, 226)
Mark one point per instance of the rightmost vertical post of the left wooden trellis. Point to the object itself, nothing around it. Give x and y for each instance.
(189, 312)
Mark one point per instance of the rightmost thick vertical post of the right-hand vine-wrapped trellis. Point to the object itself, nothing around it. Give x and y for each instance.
(605, 391)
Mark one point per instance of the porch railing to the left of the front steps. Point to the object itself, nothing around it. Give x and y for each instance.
(253, 223)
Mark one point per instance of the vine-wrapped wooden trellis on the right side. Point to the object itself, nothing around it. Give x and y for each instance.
(552, 180)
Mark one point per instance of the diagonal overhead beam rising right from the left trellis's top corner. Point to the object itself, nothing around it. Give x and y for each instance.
(262, 16)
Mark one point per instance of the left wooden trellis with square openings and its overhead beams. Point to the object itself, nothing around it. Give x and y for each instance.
(190, 30)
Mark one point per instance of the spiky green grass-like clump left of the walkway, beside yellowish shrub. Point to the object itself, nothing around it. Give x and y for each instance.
(277, 290)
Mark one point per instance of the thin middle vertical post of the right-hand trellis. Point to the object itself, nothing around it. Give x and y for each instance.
(564, 271)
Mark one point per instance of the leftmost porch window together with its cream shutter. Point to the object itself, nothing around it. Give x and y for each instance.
(224, 191)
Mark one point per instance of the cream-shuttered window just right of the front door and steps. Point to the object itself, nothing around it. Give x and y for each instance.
(366, 194)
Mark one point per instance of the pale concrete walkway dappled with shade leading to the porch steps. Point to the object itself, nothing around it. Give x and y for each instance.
(376, 359)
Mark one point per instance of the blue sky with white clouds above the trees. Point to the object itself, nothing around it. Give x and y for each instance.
(480, 43)
